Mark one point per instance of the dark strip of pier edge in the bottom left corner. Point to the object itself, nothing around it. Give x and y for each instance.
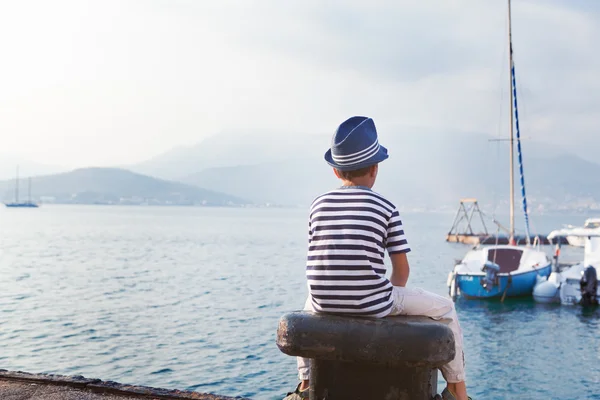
(24, 386)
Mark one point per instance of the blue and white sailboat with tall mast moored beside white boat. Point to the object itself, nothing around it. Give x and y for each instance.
(499, 271)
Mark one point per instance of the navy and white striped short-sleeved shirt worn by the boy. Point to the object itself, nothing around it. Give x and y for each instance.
(349, 230)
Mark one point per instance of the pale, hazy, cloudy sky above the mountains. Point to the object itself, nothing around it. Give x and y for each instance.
(114, 82)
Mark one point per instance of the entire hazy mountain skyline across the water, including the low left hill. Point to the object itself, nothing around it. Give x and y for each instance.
(426, 170)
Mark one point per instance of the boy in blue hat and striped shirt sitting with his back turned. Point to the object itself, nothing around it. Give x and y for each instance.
(349, 230)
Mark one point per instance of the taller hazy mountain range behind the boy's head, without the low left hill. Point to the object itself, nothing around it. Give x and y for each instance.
(426, 170)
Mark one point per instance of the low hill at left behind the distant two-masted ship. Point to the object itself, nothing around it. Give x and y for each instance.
(114, 186)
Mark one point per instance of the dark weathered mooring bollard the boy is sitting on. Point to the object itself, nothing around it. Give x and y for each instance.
(394, 358)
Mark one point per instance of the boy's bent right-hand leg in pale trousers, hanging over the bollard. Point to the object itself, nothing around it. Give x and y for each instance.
(416, 301)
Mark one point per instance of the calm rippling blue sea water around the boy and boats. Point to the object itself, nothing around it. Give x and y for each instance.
(189, 298)
